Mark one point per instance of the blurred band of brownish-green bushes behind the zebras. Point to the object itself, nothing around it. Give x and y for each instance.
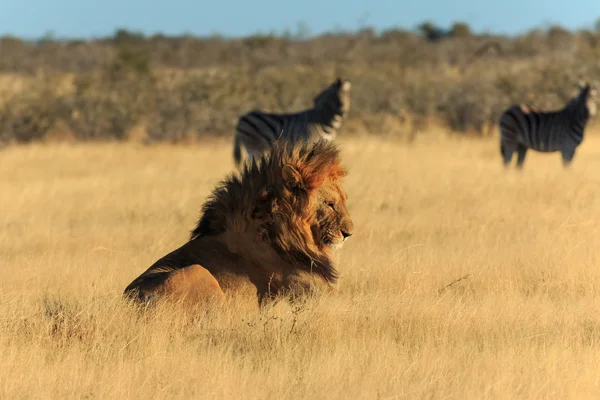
(185, 87)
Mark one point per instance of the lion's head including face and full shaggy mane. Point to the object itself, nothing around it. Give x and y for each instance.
(291, 197)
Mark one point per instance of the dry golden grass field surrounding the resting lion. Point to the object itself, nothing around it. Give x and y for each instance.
(81, 221)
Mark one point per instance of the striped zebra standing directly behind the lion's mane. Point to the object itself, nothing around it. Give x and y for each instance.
(258, 130)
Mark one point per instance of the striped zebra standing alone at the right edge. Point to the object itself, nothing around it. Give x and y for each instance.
(523, 128)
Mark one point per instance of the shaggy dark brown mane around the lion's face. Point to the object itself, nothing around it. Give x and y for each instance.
(258, 203)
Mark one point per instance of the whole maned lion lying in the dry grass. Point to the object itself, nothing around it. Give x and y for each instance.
(272, 230)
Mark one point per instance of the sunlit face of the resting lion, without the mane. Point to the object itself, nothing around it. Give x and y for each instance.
(332, 224)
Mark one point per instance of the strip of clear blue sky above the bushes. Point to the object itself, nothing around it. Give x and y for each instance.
(88, 18)
